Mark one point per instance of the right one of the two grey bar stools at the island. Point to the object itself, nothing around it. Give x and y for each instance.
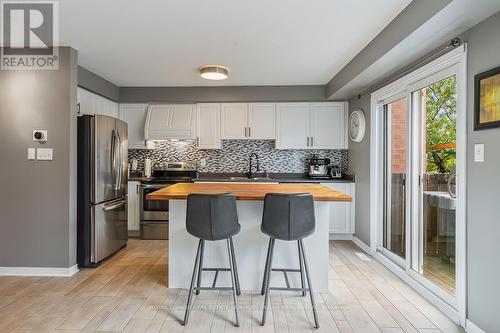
(288, 217)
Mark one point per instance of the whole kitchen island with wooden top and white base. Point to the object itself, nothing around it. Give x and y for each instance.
(250, 244)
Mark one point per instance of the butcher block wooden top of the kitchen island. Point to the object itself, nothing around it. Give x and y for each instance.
(256, 191)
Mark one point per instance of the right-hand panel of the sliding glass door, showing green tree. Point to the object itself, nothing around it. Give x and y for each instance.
(435, 103)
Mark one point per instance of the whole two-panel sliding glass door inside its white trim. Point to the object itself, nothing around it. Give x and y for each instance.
(418, 181)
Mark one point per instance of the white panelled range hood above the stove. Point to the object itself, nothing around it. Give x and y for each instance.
(170, 121)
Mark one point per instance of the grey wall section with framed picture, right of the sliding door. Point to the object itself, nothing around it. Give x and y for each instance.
(483, 187)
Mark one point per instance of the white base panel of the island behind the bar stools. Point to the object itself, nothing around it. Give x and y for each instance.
(250, 248)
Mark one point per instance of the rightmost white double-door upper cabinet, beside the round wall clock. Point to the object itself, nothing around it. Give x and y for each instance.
(311, 126)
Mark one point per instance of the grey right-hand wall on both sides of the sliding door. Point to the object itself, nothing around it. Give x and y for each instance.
(483, 184)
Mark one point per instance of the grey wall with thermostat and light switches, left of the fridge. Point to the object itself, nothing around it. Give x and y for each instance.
(37, 200)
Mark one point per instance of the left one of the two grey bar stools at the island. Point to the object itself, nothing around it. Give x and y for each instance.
(212, 217)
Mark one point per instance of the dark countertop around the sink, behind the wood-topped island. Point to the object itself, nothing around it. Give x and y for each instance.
(273, 177)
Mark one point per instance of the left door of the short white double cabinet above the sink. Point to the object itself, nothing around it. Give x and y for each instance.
(234, 120)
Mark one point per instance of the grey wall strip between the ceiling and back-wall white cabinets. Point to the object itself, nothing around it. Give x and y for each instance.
(222, 94)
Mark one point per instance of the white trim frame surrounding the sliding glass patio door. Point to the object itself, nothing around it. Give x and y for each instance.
(456, 57)
